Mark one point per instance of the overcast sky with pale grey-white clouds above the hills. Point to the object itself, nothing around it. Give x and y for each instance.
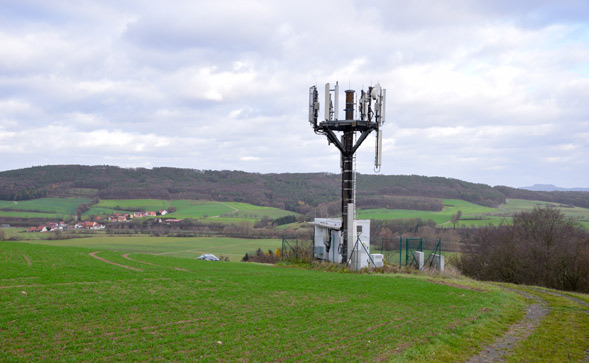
(493, 92)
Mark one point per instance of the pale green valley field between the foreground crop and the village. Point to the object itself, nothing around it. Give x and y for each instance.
(187, 247)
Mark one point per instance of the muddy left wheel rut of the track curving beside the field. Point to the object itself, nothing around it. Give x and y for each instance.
(516, 333)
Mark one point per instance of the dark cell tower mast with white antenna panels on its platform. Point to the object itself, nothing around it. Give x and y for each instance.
(371, 109)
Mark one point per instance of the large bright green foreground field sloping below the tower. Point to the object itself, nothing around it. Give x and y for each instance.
(63, 304)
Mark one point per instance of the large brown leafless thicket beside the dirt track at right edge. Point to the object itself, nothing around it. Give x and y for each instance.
(542, 247)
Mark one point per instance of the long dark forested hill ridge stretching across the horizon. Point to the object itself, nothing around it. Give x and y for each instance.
(287, 191)
